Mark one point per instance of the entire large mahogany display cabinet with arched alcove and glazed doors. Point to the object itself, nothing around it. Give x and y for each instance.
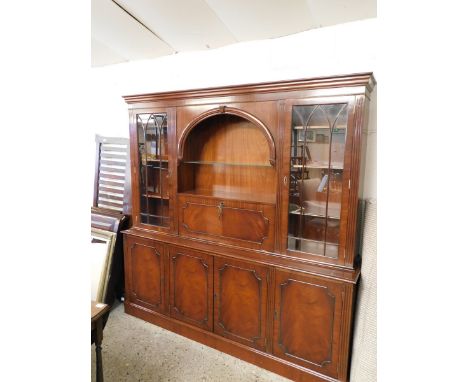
(245, 229)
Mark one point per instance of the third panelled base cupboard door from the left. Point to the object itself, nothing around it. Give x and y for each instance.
(241, 302)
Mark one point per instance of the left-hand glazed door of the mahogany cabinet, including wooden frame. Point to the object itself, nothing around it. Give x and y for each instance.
(152, 135)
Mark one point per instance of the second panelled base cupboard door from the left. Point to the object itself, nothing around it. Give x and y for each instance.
(191, 287)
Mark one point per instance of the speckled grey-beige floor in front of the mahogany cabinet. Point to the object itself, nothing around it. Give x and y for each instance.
(134, 350)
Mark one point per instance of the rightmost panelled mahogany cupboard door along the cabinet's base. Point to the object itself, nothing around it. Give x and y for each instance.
(308, 320)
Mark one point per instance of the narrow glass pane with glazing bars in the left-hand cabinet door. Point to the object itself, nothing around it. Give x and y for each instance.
(154, 166)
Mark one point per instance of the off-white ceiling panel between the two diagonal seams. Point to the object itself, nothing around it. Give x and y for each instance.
(184, 24)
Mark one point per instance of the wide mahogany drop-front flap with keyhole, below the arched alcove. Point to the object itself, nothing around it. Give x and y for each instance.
(239, 223)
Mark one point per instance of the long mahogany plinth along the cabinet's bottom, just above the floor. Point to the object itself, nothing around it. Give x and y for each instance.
(261, 359)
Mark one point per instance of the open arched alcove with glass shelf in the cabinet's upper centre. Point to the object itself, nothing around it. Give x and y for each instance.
(227, 153)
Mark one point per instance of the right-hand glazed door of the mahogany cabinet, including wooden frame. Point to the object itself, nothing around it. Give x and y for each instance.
(317, 164)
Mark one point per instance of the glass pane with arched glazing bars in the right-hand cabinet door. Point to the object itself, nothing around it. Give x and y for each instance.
(318, 136)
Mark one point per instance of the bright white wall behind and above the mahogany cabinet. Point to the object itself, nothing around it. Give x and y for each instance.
(341, 49)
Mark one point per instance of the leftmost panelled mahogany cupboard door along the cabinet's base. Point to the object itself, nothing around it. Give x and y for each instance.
(144, 273)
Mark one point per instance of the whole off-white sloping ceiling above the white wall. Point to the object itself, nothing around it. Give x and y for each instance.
(124, 30)
